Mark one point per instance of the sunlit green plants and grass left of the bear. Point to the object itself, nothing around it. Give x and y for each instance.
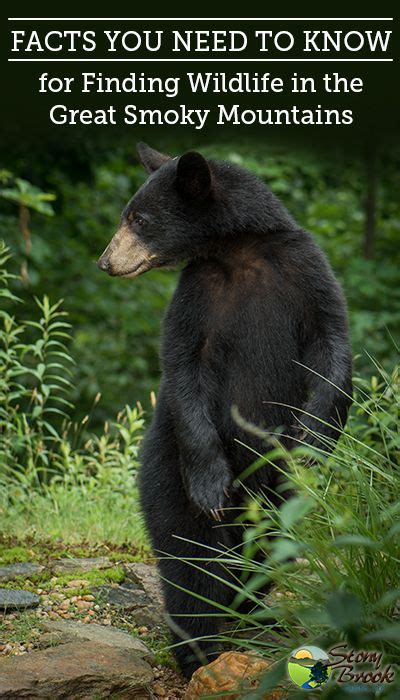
(51, 470)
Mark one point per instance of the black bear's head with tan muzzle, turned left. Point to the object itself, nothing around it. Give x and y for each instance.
(168, 218)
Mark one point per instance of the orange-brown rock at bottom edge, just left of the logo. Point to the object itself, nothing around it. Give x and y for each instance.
(232, 674)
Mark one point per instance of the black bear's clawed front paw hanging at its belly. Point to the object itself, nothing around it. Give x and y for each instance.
(209, 489)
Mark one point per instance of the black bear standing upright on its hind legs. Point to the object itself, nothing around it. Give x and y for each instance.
(257, 321)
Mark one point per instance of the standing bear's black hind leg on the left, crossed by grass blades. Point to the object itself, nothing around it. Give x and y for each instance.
(175, 527)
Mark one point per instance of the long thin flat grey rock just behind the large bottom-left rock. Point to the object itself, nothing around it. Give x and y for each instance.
(63, 631)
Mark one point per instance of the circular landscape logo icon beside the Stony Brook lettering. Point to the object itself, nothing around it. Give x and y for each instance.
(309, 667)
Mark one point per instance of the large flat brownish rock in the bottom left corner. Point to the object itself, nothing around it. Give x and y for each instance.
(79, 670)
